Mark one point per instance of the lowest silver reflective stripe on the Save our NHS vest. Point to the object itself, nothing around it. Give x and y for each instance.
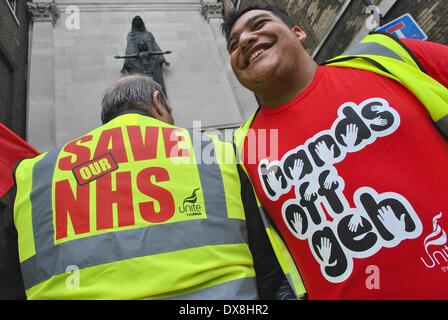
(240, 289)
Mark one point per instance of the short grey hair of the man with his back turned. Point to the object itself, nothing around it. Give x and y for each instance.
(131, 92)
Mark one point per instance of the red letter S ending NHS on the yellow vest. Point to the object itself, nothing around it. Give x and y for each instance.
(163, 196)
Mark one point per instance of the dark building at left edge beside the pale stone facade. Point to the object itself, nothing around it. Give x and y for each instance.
(14, 26)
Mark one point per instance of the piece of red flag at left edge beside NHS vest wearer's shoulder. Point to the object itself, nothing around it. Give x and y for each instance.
(12, 149)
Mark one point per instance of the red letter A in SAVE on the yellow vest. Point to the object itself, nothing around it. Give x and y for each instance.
(111, 140)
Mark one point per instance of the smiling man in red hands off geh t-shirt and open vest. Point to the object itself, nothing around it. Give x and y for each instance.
(357, 187)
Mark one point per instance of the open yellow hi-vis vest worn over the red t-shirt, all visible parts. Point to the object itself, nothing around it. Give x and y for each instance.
(385, 55)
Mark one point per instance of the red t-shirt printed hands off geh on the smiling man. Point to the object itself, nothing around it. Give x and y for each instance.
(358, 187)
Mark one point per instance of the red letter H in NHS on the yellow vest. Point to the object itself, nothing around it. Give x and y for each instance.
(121, 196)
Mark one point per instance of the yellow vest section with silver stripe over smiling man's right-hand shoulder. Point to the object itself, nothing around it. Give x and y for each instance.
(386, 55)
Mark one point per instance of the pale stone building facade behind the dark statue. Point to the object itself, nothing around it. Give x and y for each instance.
(71, 66)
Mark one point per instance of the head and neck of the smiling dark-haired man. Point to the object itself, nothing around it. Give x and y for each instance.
(264, 63)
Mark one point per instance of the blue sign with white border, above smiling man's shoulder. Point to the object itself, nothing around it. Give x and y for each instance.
(404, 27)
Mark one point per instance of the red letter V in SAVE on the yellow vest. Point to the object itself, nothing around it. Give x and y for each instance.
(147, 149)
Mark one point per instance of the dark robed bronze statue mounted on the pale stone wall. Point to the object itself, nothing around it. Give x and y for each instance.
(143, 55)
